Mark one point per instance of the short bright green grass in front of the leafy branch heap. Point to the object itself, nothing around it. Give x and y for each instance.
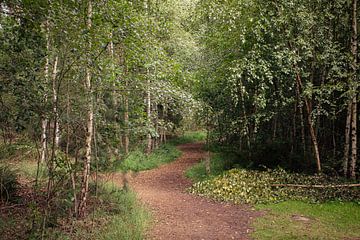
(331, 220)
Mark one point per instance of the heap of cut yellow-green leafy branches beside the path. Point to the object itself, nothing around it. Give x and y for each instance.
(250, 186)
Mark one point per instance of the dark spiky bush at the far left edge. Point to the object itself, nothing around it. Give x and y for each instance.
(8, 184)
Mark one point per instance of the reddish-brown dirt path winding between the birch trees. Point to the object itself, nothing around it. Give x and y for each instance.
(180, 215)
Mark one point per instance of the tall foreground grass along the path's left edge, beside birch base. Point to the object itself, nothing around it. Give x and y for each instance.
(118, 216)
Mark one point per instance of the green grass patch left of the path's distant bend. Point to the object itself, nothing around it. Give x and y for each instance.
(137, 160)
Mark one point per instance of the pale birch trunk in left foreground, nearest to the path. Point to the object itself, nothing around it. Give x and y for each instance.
(89, 129)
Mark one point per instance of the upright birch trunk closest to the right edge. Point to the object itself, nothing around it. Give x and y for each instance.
(354, 44)
